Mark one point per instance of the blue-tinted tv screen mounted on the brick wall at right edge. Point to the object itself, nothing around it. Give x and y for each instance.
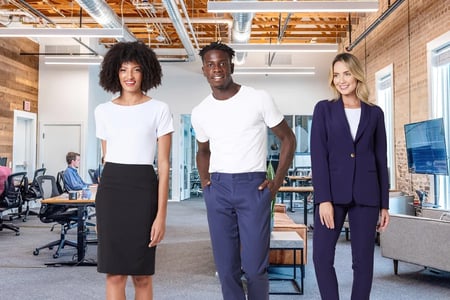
(425, 147)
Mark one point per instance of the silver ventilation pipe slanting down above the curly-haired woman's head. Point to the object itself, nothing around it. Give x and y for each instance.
(104, 15)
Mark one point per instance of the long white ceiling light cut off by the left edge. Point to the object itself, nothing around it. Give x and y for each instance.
(61, 32)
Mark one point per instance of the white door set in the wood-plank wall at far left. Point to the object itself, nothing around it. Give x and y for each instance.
(24, 142)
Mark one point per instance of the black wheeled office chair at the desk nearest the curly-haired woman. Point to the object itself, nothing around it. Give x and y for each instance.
(50, 213)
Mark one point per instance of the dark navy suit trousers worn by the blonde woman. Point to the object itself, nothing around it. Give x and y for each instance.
(363, 221)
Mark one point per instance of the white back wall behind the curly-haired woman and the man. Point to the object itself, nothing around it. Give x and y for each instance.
(71, 93)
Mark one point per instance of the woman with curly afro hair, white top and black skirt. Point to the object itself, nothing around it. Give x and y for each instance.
(131, 201)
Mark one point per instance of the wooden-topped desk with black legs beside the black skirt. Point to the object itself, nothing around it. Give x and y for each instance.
(81, 226)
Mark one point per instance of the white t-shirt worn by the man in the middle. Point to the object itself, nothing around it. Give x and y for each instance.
(236, 129)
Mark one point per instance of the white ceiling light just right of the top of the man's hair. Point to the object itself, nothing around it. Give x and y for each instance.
(284, 47)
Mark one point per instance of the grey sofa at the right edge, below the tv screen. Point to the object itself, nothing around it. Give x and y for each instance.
(420, 240)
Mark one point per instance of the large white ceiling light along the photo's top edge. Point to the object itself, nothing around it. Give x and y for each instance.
(242, 6)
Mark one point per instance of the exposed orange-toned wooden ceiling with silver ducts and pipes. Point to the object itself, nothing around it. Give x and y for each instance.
(195, 28)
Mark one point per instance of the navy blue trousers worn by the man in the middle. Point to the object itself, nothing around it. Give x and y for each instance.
(239, 220)
